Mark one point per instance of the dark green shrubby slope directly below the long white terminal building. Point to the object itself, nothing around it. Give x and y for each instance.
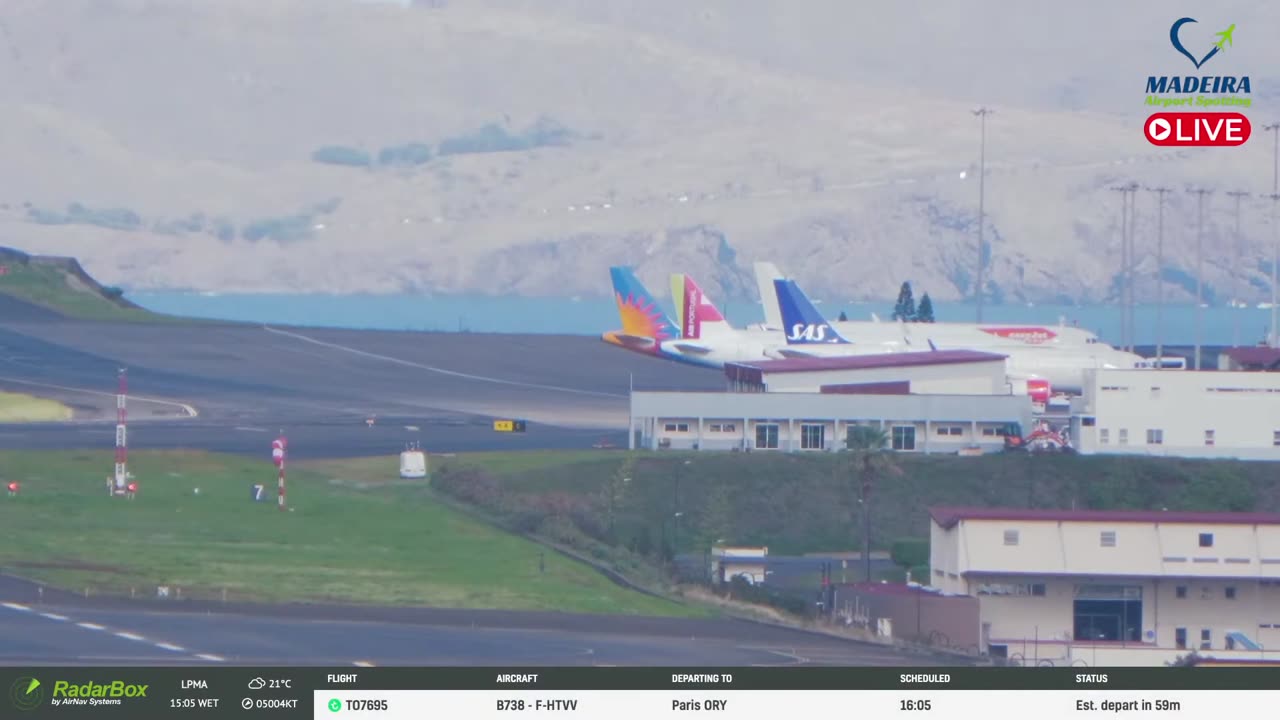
(807, 503)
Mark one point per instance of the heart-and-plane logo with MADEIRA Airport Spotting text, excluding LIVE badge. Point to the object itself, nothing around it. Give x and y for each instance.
(1200, 90)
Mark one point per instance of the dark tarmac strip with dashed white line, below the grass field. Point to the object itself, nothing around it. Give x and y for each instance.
(63, 630)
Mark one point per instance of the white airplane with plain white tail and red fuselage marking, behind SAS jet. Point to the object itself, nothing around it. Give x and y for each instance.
(977, 336)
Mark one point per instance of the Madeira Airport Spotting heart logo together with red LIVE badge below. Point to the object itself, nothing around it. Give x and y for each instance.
(1200, 92)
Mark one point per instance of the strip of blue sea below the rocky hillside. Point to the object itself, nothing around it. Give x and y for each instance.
(490, 315)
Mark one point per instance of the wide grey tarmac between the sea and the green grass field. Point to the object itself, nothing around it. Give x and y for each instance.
(322, 385)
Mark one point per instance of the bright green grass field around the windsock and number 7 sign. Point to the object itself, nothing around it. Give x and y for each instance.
(355, 535)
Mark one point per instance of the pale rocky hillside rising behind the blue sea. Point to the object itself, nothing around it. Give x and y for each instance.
(527, 145)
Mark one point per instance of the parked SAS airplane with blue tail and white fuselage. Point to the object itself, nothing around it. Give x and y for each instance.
(1060, 368)
